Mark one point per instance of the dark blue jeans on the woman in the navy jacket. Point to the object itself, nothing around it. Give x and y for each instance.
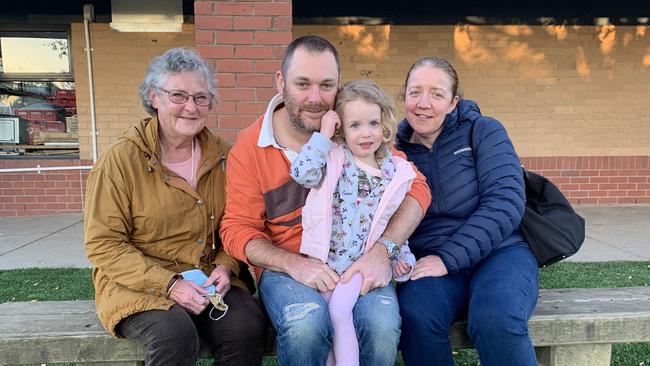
(498, 295)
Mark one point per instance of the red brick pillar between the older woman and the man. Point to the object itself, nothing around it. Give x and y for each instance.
(245, 41)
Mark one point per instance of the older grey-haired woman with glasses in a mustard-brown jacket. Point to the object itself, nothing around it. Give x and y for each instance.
(153, 204)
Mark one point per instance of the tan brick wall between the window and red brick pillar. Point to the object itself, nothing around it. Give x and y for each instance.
(119, 62)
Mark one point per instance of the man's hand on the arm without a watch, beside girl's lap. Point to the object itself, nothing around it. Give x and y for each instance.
(313, 273)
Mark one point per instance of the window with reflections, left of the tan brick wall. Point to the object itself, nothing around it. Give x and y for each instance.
(38, 111)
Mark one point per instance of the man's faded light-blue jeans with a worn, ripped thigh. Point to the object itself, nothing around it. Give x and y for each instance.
(301, 318)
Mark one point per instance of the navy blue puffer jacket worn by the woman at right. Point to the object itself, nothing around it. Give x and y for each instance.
(477, 204)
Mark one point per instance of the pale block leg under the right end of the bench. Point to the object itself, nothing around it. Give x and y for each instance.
(574, 355)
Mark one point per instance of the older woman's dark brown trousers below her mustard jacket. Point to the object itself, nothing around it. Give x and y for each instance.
(172, 336)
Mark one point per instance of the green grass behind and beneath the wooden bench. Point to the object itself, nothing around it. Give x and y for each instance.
(37, 284)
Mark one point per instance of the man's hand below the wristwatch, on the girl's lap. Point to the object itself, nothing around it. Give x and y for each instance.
(375, 268)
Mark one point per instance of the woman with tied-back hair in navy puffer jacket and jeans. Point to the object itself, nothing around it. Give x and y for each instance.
(471, 258)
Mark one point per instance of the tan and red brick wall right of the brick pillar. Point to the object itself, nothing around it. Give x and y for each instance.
(573, 99)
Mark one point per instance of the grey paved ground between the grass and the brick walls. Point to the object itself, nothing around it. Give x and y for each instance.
(614, 233)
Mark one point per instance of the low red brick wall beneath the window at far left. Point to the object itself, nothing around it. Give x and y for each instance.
(45, 193)
